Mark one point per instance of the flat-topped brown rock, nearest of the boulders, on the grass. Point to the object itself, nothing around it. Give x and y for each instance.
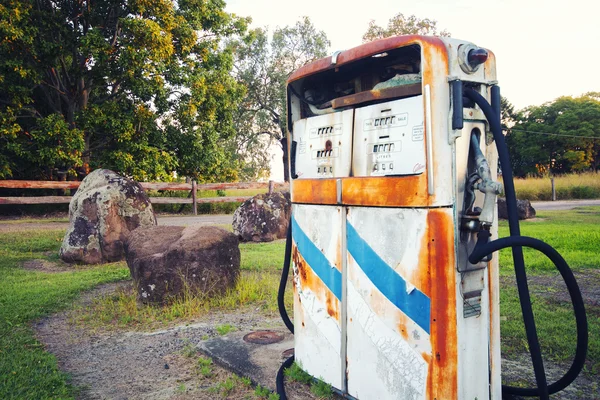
(167, 261)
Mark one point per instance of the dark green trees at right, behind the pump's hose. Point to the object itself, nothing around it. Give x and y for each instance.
(559, 137)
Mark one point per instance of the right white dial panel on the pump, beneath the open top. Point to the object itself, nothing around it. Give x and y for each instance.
(389, 138)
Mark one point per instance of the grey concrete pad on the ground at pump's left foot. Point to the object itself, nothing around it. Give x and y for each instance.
(259, 362)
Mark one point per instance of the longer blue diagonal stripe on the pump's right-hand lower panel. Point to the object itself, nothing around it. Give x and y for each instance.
(416, 305)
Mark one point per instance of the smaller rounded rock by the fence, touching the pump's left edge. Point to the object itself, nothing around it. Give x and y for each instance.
(263, 218)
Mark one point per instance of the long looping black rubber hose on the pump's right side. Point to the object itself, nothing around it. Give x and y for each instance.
(515, 241)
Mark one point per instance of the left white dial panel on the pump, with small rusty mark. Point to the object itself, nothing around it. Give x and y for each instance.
(324, 145)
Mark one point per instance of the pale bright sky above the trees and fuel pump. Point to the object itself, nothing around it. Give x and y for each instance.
(544, 49)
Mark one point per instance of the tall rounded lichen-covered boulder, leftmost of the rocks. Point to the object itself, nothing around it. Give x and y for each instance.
(104, 210)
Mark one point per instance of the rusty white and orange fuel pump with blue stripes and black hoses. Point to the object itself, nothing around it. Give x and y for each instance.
(394, 150)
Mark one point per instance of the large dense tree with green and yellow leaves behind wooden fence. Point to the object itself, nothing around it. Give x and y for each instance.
(141, 87)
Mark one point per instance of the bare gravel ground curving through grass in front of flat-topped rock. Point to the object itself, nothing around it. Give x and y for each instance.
(134, 365)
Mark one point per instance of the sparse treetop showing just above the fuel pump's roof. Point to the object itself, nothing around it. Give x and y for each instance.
(402, 25)
